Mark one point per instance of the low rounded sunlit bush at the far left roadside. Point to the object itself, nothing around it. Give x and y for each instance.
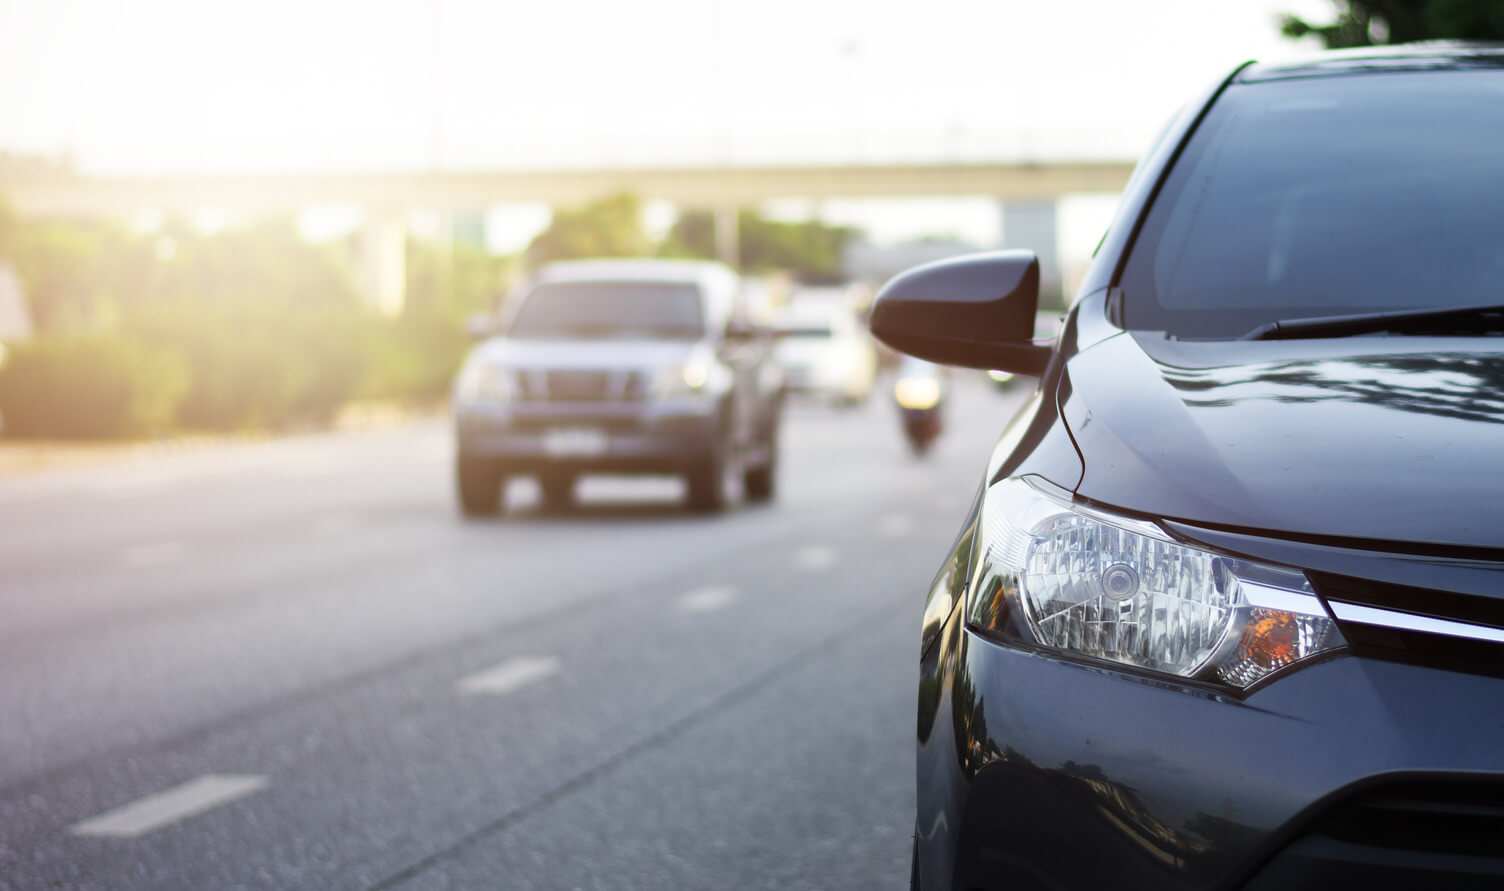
(89, 388)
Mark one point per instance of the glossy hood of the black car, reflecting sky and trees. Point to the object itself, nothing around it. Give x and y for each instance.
(1384, 439)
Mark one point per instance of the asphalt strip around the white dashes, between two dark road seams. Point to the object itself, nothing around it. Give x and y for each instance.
(383, 777)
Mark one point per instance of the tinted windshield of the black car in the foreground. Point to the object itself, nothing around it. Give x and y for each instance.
(1327, 196)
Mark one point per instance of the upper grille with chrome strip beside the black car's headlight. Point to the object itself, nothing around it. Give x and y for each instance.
(1445, 630)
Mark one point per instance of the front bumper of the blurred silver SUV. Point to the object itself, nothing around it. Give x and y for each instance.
(666, 437)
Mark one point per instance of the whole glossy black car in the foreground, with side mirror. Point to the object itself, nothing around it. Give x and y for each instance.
(1230, 604)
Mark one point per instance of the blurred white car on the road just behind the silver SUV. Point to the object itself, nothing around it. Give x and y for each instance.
(826, 351)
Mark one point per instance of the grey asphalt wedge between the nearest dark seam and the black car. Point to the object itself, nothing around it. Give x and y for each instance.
(804, 782)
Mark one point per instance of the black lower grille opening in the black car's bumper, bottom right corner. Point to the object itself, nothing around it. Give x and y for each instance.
(1418, 835)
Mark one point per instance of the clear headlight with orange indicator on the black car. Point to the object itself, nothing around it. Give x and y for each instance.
(1094, 585)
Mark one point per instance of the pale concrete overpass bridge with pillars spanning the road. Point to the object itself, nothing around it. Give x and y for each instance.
(1026, 190)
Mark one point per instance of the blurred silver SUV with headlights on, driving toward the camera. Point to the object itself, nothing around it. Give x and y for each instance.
(620, 366)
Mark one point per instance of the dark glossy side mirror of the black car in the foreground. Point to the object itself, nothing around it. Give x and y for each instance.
(975, 311)
